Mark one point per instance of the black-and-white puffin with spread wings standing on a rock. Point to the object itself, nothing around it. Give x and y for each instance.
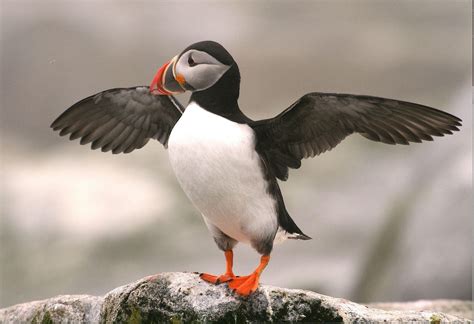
(229, 165)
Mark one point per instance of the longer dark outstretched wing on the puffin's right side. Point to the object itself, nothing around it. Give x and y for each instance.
(317, 122)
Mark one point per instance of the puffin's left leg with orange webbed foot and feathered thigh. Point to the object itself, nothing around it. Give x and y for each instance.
(226, 244)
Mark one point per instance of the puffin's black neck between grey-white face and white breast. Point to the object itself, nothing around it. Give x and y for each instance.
(222, 98)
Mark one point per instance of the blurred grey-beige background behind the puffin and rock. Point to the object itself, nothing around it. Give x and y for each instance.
(388, 222)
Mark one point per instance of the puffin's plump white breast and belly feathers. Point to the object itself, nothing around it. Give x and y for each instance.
(218, 168)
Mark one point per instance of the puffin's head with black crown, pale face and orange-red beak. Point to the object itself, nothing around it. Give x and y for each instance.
(197, 68)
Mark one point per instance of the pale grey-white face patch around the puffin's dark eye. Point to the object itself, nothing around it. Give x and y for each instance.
(200, 70)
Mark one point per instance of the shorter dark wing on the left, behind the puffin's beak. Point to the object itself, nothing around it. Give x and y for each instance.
(120, 120)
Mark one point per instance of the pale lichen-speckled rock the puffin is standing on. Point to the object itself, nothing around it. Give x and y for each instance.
(183, 297)
